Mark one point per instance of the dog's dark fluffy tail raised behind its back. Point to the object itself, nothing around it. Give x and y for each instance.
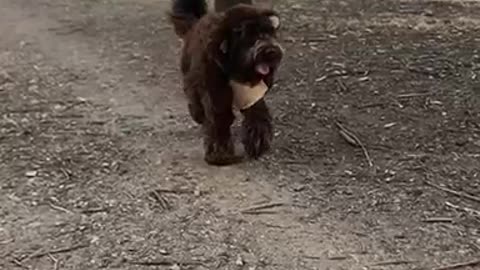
(185, 13)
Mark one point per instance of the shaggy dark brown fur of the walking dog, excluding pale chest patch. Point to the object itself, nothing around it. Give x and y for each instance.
(217, 48)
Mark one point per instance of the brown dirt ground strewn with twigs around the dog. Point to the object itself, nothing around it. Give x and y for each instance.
(102, 167)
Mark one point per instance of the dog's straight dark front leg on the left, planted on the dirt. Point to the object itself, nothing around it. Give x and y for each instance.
(218, 144)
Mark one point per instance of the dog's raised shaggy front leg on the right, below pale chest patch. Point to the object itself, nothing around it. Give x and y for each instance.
(257, 129)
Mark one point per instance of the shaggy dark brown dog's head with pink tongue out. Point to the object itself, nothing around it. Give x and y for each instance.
(247, 48)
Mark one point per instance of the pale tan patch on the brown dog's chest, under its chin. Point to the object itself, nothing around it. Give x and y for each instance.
(244, 95)
